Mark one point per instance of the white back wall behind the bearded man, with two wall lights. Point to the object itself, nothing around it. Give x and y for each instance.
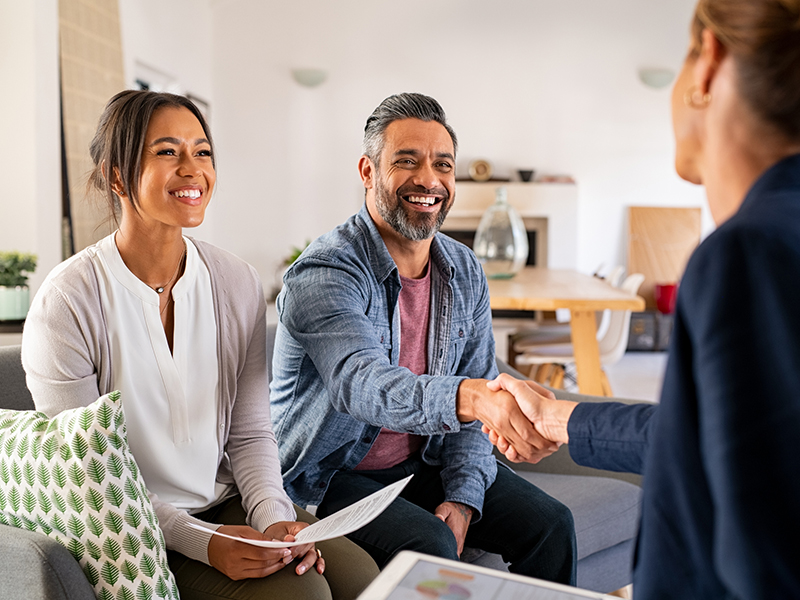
(547, 84)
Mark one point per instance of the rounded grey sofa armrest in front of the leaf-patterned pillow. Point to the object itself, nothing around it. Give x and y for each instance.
(35, 566)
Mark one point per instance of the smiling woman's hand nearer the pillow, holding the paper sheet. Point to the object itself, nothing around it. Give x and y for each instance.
(239, 560)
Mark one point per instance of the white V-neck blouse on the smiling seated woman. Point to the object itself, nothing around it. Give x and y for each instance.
(170, 399)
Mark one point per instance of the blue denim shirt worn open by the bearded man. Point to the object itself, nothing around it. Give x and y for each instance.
(336, 379)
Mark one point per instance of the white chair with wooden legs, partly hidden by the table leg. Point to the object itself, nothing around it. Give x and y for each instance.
(551, 358)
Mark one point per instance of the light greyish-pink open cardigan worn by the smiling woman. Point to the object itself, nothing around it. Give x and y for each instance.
(66, 355)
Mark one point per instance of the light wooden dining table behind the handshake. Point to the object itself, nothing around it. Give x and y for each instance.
(536, 288)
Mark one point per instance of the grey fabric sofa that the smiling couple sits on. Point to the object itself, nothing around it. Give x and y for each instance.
(605, 507)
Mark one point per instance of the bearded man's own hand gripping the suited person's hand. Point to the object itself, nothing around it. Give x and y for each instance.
(499, 411)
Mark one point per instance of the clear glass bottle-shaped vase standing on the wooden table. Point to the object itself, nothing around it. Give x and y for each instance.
(501, 241)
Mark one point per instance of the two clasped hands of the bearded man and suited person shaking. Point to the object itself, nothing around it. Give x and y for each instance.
(522, 418)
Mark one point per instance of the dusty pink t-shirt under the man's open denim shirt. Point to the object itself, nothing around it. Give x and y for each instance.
(391, 447)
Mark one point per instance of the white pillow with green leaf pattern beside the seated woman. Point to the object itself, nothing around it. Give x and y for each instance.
(74, 479)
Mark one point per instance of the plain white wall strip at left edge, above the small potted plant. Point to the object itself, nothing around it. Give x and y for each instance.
(30, 197)
